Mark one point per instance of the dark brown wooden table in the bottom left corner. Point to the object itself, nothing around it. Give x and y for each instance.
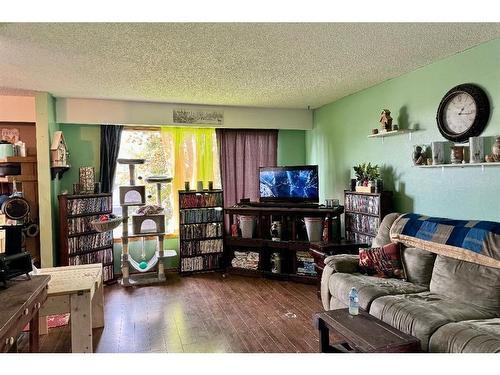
(20, 304)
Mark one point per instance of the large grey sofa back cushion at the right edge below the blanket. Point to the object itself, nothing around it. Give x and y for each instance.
(467, 282)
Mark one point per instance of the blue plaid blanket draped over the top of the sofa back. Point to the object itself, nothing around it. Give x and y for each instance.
(470, 240)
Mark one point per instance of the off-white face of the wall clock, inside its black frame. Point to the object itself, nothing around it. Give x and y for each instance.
(460, 113)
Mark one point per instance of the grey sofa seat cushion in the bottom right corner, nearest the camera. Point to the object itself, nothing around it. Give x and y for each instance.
(470, 336)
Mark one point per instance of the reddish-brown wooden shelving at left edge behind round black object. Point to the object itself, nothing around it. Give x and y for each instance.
(27, 183)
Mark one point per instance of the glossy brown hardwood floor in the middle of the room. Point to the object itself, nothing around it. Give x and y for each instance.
(204, 313)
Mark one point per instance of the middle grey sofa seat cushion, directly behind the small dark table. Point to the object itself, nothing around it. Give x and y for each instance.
(421, 314)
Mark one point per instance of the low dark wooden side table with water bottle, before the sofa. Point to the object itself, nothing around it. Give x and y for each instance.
(362, 333)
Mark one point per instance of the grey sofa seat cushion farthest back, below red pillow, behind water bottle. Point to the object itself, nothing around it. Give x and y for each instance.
(369, 287)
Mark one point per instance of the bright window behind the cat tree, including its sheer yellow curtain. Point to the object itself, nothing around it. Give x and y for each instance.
(186, 154)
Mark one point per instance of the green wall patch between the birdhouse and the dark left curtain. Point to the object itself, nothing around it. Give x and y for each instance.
(83, 143)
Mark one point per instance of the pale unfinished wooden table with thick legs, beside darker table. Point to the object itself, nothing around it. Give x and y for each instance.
(77, 290)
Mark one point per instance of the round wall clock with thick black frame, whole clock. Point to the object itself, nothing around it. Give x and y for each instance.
(463, 112)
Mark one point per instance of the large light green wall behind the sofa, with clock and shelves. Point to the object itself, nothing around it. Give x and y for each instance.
(339, 138)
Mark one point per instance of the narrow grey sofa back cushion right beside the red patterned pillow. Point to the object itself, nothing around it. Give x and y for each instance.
(418, 265)
